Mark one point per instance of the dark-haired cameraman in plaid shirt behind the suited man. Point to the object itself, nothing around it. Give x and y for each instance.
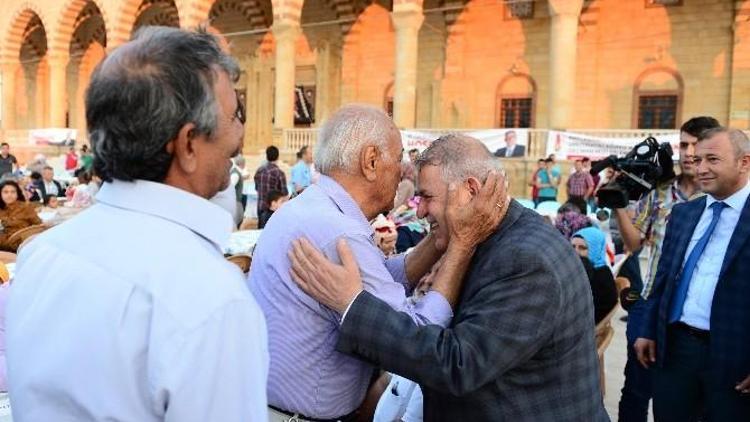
(648, 228)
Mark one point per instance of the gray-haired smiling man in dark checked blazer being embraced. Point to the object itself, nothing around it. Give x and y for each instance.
(520, 346)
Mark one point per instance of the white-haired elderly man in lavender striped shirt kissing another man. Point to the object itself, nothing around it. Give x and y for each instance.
(358, 155)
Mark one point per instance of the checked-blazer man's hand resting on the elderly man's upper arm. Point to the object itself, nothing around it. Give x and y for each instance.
(335, 286)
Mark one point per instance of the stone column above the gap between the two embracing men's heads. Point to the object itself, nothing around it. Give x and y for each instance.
(407, 19)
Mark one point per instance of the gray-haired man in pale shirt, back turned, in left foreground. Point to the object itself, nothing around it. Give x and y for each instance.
(148, 322)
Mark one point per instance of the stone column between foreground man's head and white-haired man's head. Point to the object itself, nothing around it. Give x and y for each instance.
(285, 34)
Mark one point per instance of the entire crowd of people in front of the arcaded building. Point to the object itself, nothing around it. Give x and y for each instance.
(381, 288)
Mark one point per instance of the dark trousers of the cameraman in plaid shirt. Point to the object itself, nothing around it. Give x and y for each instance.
(636, 392)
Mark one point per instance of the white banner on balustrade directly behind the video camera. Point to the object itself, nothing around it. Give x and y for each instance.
(570, 145)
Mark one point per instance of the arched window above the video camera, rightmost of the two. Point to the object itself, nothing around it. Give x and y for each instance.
(657, 99)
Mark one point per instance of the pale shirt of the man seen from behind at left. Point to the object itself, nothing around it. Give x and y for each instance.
(130, 312)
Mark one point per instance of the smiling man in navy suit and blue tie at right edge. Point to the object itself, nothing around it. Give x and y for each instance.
(697, 321)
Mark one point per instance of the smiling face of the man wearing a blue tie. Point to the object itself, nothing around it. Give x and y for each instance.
(719, 169)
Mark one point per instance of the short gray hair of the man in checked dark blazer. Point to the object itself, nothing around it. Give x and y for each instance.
(459, 157)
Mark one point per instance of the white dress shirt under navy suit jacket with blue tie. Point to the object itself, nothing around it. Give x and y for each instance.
(697, 309)
